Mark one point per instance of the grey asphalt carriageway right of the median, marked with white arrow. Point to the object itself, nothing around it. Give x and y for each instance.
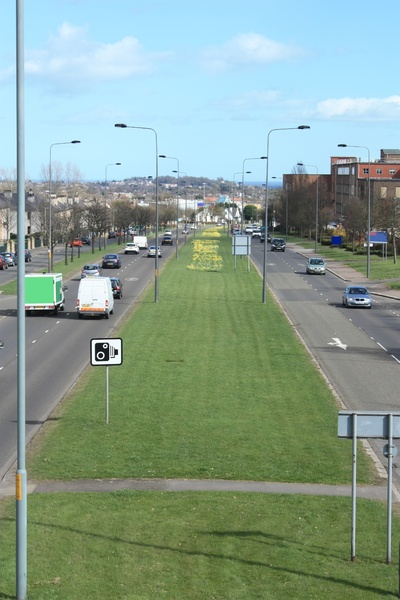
(358, 350)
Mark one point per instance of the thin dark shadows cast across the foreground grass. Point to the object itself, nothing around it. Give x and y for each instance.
(224, 557)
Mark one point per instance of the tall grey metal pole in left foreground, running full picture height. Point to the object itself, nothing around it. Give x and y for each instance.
(21, 487)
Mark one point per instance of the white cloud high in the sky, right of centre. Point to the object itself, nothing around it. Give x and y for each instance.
(248, 49)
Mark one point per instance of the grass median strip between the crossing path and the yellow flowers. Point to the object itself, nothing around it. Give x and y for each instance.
(214, 384)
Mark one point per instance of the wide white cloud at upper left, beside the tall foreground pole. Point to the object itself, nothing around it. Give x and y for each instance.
(71, 58)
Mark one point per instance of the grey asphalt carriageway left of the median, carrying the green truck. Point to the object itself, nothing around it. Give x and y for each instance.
(57, 347)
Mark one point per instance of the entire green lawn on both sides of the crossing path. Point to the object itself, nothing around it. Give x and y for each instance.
(214, 384)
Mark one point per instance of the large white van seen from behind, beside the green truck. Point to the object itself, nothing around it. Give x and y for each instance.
(95, 297)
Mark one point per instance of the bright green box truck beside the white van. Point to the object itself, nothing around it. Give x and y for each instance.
(44, 292)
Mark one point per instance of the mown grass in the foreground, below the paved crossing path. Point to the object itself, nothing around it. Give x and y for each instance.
(199, 546)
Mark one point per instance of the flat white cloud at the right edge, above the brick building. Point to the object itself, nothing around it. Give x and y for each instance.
(369, 109)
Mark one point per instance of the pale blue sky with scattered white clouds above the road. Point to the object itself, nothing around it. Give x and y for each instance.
(209, 83)
